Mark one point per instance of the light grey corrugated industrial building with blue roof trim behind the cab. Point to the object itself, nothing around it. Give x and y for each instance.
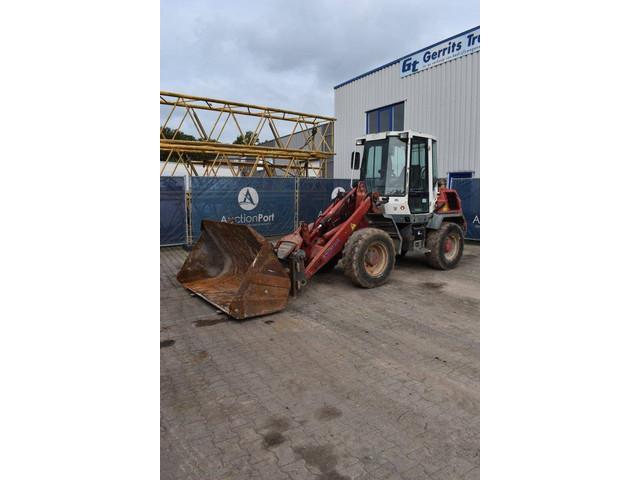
(434, 90)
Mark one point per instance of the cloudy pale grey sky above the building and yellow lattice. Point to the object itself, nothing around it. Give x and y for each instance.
(290, 54)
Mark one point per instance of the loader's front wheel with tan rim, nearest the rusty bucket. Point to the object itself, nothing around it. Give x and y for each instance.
(369, 257)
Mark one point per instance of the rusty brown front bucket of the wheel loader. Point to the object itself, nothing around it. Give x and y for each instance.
(233, 267)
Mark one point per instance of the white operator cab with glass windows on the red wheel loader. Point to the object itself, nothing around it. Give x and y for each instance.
(401, 167)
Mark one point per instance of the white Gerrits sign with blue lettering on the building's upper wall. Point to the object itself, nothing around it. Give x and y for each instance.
(464, 44)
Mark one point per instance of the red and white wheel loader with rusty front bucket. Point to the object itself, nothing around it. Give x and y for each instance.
(396, 206)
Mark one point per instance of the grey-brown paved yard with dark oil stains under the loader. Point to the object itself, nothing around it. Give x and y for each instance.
(346, 383)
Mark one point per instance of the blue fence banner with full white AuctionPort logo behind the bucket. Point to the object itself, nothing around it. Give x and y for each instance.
(266, 204)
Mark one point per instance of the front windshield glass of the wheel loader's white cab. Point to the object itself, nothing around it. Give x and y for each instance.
(384, 166)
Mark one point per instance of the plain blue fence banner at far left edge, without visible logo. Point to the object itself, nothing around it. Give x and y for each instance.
(173, 211)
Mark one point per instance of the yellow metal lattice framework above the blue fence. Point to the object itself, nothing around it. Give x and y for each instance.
(301, 146)
